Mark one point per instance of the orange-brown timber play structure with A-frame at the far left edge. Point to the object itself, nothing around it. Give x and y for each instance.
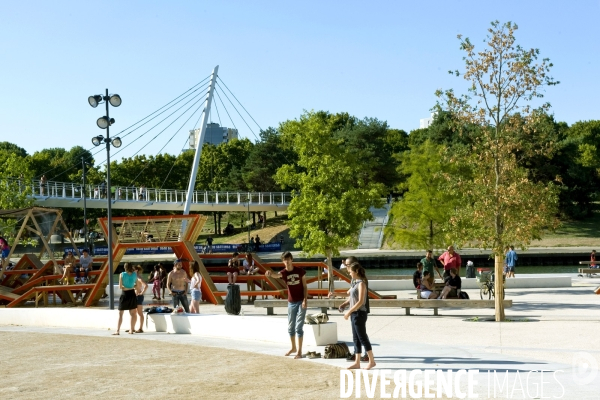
(30, 278)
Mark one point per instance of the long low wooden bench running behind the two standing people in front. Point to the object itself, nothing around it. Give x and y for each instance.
(407, 304)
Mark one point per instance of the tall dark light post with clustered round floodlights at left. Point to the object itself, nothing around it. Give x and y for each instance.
(105, 123)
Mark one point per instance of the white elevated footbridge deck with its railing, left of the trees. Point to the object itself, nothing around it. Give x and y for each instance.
(71, 195)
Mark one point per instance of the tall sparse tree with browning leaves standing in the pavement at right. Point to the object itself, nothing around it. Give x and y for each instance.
(501, 204)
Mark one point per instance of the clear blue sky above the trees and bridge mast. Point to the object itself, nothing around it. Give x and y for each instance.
(381, 59)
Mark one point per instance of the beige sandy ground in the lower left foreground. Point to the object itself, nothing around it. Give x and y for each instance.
(49, 366)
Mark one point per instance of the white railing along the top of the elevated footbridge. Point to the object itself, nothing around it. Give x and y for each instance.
(74, 191)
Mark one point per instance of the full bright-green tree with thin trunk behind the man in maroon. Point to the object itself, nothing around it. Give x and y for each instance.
(334, 191)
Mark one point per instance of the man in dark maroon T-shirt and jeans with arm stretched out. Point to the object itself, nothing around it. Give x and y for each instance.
(295, 280)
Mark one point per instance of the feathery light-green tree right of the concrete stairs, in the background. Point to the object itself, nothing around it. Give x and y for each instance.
(420, 217)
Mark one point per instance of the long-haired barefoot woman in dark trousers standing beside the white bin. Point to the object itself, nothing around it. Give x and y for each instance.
(358, 314)
